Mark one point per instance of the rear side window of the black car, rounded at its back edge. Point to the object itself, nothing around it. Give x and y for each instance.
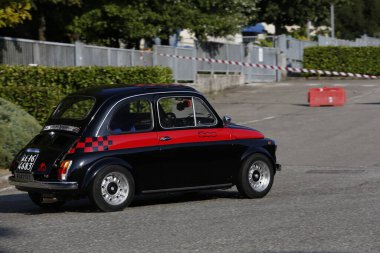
(134, 116)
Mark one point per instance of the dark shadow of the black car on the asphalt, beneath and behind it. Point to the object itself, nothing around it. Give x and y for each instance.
(20, 203)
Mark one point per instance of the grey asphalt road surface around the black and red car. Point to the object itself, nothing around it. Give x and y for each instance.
(326, 199)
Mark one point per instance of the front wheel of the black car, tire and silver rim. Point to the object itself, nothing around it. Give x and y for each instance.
(255, 177)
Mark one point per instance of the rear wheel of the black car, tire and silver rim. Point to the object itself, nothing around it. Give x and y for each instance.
(112, 189)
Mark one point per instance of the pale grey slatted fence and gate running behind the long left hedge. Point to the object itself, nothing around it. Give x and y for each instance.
(26, 52)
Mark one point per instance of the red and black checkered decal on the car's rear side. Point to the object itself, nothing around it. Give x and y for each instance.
(91, 144)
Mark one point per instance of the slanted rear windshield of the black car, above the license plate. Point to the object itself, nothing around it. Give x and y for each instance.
(75, 108)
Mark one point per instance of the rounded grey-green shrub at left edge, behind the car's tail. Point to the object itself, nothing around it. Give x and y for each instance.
(17, 128)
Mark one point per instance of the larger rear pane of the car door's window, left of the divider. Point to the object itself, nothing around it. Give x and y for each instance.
(176, 112)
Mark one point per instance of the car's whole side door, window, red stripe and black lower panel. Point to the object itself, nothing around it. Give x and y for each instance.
(195, 148)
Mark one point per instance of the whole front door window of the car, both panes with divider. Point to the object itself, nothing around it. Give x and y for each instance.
(178, 112)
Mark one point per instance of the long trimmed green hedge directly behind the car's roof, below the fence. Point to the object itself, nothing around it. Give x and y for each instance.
(39, 89)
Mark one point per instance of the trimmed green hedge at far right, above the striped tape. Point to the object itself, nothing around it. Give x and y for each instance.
(361, 60)
